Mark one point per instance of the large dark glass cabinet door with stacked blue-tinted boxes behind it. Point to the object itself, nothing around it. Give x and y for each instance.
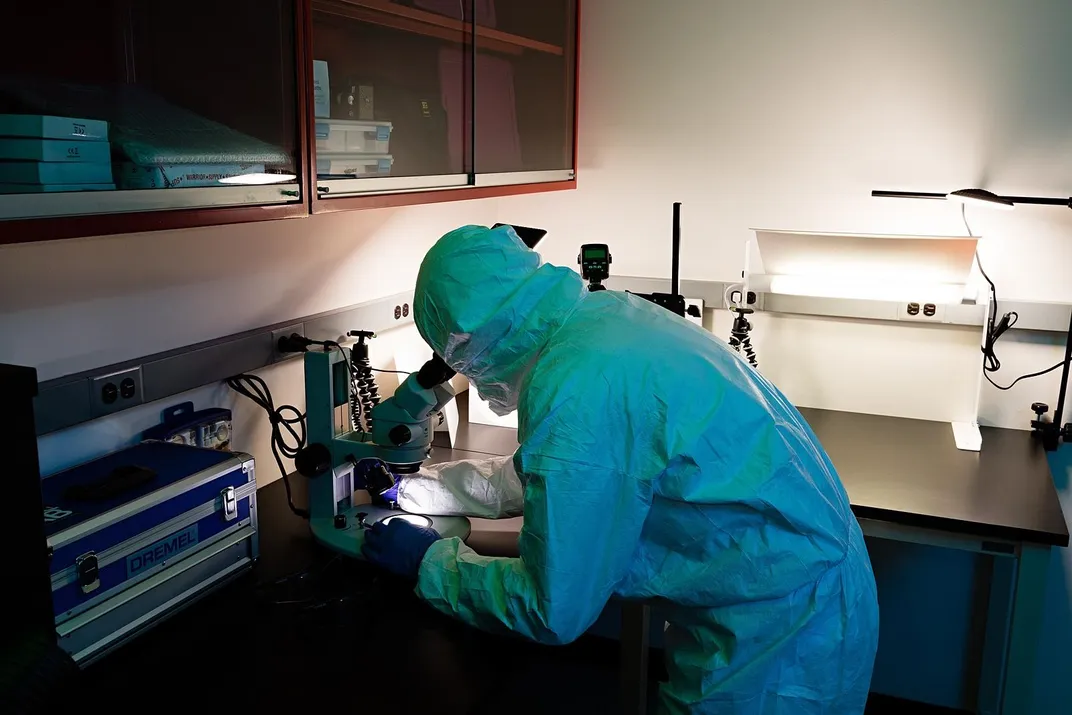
(139, 106)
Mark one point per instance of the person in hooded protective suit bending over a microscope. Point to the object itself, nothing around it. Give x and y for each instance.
(654, 464)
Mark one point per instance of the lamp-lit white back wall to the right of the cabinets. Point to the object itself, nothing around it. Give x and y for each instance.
(786, 115)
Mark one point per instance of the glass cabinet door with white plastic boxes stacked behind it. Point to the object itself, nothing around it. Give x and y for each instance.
(392, 109)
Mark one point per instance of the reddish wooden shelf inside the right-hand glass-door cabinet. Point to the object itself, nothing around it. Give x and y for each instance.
(420, 22)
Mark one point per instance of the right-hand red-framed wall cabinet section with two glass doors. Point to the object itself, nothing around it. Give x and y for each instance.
(433, 100)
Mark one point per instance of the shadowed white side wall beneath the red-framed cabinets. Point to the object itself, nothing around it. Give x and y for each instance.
(71, 306)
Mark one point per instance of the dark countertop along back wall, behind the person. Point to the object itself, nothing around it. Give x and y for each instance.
(906, 472)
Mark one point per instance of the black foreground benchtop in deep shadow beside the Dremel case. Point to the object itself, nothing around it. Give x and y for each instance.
(308, 632)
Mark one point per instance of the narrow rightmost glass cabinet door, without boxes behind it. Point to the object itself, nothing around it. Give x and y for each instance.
(525, 92)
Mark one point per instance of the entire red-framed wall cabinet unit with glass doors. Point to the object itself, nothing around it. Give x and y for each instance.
(166, 114)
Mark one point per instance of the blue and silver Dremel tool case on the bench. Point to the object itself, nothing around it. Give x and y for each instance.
(139, 534)
